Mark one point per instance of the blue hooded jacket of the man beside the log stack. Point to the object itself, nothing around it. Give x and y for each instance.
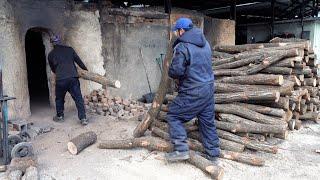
(192, 63)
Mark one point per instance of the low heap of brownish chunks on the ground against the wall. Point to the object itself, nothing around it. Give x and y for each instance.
(102, 103)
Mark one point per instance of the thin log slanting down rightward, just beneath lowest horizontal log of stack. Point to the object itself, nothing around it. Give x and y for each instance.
(249, 144)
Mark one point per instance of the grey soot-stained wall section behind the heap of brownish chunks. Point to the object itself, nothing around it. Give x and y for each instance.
(130, 47)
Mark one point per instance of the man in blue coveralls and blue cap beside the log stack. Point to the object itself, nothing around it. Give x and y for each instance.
(192, 66)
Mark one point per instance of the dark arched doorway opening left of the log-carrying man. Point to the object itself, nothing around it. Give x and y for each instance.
(36, 66)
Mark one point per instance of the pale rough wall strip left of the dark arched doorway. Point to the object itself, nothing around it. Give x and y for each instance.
(13, 62)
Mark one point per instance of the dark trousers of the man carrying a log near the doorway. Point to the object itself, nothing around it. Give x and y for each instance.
(71, 85)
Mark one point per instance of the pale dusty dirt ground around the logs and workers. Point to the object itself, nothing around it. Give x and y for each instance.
(296, 158)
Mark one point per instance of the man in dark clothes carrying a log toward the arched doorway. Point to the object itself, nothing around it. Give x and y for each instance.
(62, 61)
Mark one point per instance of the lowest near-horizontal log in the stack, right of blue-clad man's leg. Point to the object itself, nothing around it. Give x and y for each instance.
(257, 128)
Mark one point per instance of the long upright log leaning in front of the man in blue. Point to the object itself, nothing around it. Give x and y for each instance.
(159, 96)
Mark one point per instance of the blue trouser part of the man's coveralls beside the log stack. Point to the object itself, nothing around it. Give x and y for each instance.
(199, 103)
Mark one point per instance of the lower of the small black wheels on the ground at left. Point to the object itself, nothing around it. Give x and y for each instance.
(23, 149)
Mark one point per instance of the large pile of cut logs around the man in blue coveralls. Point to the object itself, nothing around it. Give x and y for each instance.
(261, 91)
